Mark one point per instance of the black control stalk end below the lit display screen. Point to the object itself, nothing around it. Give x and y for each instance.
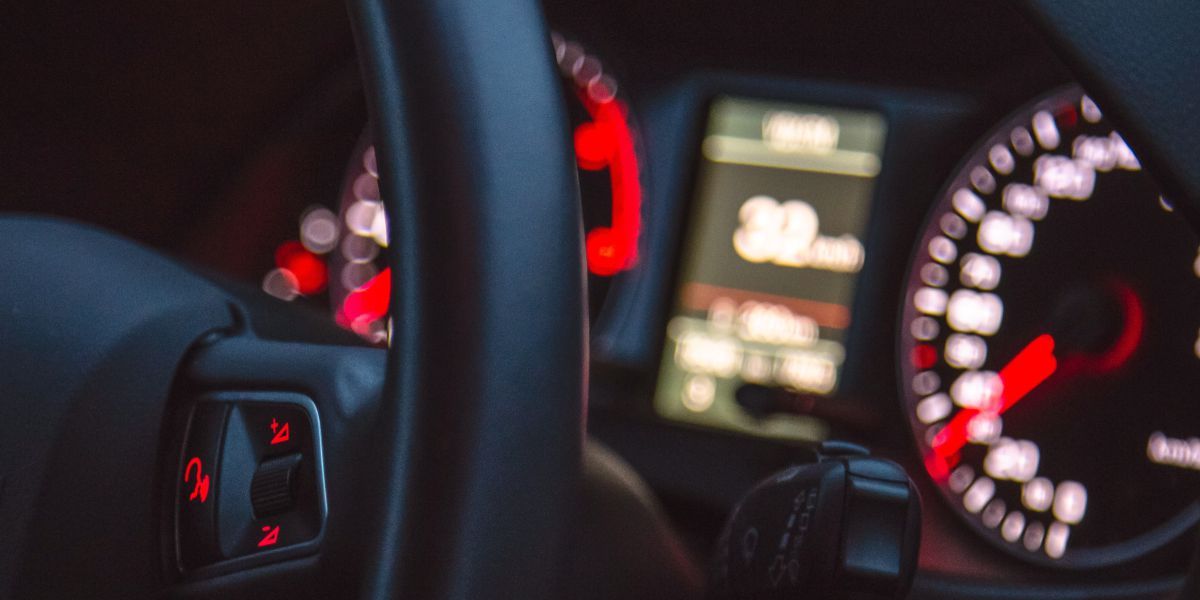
(845, 527)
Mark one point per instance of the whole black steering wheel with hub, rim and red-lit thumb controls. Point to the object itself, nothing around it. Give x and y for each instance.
(452, 477)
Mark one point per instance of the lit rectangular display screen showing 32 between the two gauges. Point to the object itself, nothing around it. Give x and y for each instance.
(771, 261)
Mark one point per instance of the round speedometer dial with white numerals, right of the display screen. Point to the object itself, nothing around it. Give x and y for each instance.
(1049, 344)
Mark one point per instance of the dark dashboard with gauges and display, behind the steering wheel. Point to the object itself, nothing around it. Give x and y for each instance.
(907, 227)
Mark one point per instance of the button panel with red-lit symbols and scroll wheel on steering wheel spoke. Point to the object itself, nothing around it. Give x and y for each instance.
(266, 482)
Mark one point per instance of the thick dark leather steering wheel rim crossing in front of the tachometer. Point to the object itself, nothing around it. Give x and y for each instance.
(481, 430)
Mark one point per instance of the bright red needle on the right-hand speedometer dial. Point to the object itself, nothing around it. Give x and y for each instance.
(1027, 371)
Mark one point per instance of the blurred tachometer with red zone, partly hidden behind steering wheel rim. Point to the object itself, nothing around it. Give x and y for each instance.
(341, 250)
